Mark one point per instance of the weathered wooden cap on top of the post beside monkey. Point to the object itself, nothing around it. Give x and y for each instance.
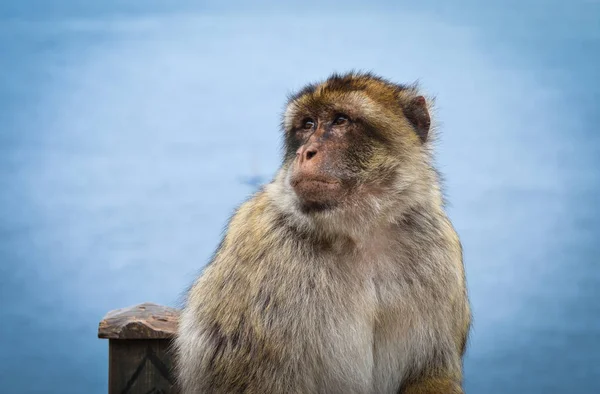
(144, 321)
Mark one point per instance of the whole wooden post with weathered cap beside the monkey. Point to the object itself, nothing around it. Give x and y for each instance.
(140, 359)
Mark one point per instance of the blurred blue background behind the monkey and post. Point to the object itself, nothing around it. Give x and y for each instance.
(130, 131)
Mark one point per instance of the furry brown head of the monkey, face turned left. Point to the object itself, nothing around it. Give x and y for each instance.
(351, 141)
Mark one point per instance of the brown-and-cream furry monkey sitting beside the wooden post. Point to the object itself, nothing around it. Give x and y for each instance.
(343, 274)
